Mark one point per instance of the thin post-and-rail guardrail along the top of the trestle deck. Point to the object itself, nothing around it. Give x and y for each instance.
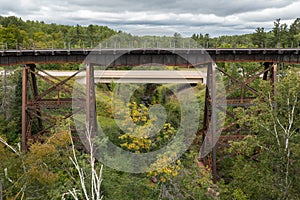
(117, 43)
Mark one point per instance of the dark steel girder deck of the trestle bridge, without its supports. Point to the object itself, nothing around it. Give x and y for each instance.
(134, 57)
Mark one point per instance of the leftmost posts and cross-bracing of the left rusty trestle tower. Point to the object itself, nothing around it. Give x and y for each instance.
(35, 106)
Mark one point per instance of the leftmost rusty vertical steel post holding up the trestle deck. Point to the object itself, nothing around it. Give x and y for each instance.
(24, 107)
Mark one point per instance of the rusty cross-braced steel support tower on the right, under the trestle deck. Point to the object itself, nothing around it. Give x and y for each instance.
(213, 102)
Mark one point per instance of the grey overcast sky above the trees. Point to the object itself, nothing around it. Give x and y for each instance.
(159, 17)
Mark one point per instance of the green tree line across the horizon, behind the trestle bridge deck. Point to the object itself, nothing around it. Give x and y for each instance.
(18, 34)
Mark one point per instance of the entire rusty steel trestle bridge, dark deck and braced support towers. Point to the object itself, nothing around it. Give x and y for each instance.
(33, 100)
